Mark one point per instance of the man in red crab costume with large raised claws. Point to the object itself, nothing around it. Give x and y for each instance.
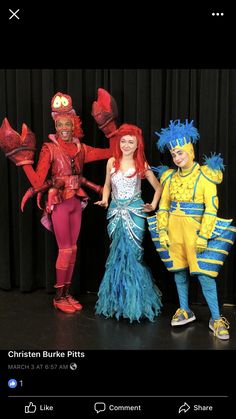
(65, 155)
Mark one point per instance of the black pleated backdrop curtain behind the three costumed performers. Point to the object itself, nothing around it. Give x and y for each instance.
(145, 97)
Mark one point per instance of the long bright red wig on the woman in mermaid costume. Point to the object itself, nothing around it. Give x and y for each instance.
(140, 161)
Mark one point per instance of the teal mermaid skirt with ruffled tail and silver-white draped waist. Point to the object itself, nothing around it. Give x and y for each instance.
(127, 289)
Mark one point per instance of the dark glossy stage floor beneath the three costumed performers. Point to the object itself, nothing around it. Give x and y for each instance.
(29, 321)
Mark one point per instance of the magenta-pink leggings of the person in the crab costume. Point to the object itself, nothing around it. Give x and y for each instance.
(66, 219)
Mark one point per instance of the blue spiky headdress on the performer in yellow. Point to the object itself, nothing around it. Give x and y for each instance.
(177, 135)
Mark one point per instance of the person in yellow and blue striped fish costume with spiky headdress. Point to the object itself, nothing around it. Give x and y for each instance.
(186, 231)
